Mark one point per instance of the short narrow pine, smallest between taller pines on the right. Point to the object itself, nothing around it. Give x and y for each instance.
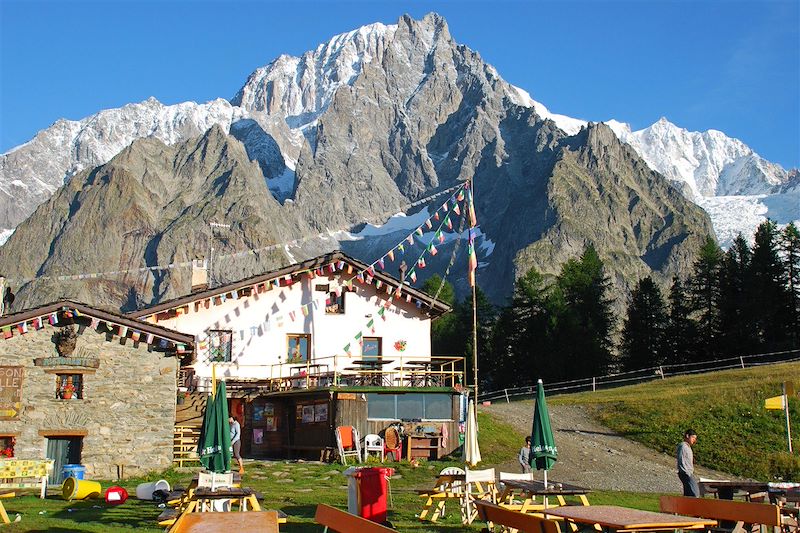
(682, 337)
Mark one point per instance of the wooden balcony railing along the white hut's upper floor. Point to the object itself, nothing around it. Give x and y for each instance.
(341, 371)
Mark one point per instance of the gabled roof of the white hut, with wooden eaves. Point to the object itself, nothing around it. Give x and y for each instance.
(435, 308)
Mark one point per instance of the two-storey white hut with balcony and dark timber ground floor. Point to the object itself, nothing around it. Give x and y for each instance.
(324, 343)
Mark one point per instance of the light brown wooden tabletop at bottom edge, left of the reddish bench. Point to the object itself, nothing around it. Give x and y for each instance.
(616, 518)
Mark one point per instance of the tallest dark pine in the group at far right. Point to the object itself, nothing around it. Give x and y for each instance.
(769, 297)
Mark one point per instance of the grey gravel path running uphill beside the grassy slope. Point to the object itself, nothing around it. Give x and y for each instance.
(592, 455)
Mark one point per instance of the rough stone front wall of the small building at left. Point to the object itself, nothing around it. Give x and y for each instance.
(127, 414)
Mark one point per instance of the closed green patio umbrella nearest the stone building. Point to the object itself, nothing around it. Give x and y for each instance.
(214, 445)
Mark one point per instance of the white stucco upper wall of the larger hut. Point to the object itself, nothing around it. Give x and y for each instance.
(262, 321)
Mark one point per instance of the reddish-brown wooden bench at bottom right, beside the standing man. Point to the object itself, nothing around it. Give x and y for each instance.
(723, 510)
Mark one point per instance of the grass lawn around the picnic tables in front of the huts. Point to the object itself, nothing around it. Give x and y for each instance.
(294, 488)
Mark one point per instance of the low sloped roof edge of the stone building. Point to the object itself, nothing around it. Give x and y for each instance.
(107, 316)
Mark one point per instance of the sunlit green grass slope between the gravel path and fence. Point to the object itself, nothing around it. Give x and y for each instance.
(726, 408)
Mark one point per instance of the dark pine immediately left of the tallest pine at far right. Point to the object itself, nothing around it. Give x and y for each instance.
(736, 311)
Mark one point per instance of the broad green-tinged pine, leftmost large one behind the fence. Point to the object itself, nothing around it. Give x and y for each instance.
(584, 317)
